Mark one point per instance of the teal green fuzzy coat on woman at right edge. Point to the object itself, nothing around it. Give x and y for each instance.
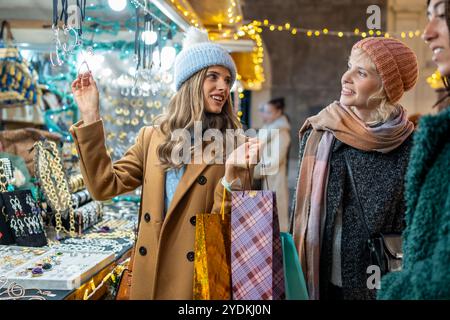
(426, 246)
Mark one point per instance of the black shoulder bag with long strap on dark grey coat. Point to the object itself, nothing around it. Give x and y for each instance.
(385, 249)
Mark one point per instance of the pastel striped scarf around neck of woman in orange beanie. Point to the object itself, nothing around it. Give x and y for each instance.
(340, 122)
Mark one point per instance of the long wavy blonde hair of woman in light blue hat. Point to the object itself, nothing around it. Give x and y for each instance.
(186, 107)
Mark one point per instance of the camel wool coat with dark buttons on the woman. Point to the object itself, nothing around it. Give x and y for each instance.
(163, 259)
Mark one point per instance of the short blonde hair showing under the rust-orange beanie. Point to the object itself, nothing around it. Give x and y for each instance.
(386, 110)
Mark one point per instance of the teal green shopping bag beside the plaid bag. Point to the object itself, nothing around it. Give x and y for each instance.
(293, 275)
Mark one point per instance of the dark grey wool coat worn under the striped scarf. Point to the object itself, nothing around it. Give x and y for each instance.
(379, 179)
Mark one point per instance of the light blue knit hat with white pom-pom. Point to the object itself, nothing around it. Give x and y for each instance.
(199, 53)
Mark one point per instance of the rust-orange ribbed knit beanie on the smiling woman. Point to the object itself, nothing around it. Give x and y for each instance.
(395, 62)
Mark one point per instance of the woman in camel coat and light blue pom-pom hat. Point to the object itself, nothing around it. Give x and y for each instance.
(172, 194)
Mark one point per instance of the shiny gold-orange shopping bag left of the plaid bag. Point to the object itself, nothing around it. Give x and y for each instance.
(212, 267)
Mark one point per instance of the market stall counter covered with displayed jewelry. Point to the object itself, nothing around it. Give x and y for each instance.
(84, 267)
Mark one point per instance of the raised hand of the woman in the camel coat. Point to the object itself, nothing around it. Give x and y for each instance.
(86, 96)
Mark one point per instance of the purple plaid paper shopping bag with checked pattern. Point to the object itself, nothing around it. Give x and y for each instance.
(256, 253)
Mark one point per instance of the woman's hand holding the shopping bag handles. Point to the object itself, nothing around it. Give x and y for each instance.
(245, 157)
